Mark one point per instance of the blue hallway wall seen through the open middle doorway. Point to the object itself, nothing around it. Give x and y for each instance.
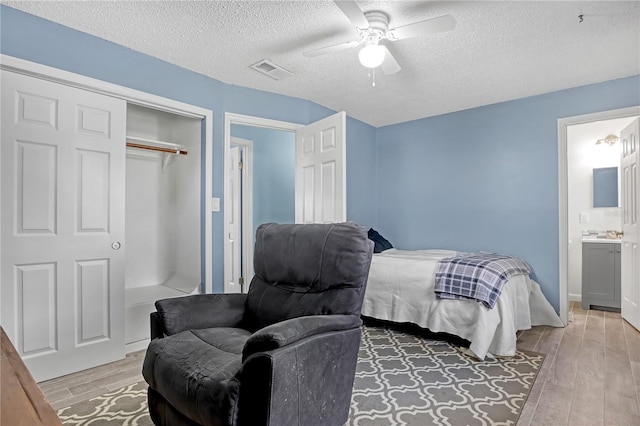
(274, 168)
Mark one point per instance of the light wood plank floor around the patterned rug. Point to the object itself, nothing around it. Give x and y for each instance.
(591, 373)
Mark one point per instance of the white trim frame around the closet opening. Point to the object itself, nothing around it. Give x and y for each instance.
(56, 75)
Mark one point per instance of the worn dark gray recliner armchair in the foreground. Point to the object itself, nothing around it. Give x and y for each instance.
(283, 354)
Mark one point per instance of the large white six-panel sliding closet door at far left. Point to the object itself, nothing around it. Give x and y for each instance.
(62, 221)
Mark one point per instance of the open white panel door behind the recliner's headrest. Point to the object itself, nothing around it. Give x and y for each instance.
(321, 171)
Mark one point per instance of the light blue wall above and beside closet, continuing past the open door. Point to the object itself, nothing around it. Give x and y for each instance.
(34, 39)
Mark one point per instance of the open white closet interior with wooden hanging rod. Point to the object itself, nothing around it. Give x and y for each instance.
(162, 213)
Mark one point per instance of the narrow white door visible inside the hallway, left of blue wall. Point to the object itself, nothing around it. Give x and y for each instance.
(233, 268)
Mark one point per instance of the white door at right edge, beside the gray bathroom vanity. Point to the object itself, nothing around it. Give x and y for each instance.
(630, 257)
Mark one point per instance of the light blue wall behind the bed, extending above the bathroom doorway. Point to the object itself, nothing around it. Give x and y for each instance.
(485, 178)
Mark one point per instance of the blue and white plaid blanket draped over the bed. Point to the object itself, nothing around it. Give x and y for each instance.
(479, 276)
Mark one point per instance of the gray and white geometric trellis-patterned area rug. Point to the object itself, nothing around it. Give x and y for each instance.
(401, 379)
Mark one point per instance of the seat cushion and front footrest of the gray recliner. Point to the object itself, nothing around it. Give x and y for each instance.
(195, 371)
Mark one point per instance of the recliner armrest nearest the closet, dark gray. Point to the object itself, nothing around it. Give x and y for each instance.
(198, 311)
